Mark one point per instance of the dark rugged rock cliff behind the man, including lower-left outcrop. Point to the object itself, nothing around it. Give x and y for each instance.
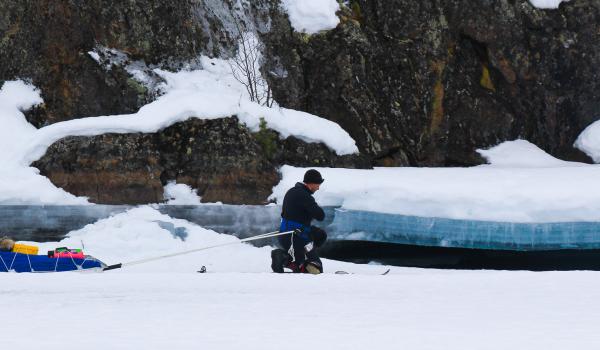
(421, 83)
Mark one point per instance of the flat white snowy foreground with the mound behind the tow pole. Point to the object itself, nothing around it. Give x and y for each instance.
(238, 303)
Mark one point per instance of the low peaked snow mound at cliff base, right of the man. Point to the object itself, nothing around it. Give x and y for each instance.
(522, 154)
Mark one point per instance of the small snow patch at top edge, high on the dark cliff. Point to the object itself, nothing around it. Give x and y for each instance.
(312, 16)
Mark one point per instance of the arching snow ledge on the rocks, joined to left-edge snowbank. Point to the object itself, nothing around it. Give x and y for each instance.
(208, 93)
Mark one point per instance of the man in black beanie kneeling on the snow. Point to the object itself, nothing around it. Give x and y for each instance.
(299, 209)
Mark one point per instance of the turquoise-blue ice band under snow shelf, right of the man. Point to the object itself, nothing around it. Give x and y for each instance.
(429, 231)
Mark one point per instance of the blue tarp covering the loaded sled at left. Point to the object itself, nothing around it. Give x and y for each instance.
(16, 262)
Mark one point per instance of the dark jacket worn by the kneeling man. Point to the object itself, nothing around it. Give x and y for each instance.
(299, 206)
